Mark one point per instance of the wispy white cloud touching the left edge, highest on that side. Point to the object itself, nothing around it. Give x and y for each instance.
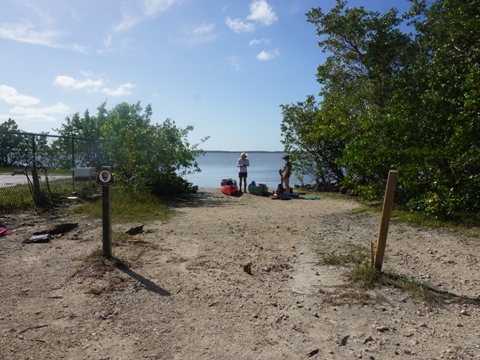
(28, 34)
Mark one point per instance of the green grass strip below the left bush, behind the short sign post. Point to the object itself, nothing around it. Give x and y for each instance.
(142, 208)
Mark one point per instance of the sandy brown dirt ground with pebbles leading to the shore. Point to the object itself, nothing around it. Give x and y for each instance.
(235, 278)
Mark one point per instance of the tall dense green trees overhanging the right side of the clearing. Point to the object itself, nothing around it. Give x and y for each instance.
(392, 100)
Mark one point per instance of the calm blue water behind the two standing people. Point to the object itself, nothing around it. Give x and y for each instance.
(216, 166)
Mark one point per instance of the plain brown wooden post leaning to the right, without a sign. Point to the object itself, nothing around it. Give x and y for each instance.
(385, 222)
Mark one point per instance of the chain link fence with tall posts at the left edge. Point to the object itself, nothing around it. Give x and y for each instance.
(41, 170)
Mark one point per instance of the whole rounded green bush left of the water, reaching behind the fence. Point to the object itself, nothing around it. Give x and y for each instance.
(144, 157)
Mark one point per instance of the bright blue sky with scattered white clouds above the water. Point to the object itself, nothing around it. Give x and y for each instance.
(222, 66)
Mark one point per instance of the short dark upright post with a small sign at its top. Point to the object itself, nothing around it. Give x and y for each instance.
(105, 179)
